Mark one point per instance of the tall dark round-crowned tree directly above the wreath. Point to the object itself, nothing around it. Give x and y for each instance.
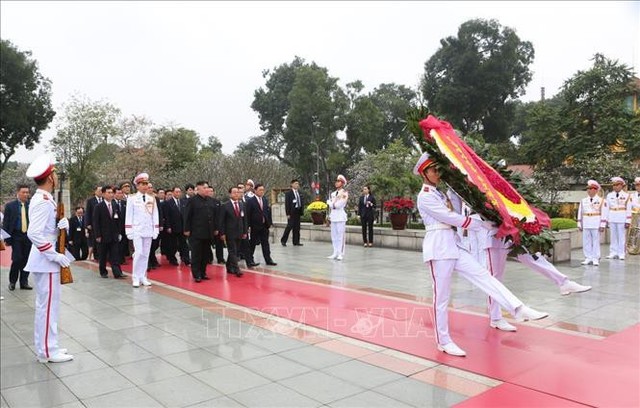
(474, 78)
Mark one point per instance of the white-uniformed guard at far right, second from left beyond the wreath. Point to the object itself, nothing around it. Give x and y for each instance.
(616, 217)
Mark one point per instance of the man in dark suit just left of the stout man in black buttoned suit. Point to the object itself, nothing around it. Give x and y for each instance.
(174, 228)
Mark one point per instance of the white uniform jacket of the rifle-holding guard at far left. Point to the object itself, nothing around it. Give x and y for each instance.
(43, 233)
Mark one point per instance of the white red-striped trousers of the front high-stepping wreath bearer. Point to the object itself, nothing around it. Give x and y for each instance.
(470, 269)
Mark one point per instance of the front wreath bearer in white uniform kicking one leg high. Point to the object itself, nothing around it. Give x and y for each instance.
(442, 252)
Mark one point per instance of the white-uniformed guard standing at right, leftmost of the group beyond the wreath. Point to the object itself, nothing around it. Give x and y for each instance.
(591, 223)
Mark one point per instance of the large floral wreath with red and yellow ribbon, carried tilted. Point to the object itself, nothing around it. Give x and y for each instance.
(482, 187)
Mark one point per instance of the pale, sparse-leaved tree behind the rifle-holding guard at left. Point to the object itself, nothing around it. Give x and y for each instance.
(82, 135)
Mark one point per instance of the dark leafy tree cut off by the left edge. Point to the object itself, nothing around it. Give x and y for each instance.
(25, 101)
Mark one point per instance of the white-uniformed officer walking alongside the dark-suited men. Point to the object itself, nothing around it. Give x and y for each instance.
(141, 225)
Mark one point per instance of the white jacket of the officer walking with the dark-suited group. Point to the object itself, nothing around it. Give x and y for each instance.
(141, 220)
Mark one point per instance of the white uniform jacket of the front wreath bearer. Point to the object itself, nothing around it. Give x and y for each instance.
(441, 240)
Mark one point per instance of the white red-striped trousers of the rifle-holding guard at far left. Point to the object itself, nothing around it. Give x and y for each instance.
(45, 327)
